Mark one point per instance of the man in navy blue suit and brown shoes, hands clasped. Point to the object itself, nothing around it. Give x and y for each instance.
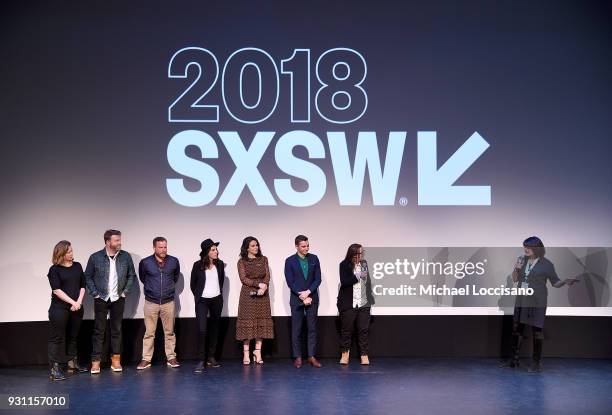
(303, 276)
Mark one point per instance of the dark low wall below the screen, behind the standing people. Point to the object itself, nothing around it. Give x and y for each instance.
(406, 336)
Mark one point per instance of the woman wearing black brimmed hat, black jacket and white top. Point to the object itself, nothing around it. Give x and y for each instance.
(207, 276)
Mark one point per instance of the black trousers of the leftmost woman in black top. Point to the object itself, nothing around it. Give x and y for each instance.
(63, 332)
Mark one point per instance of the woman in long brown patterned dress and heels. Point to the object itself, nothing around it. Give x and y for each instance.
(254, 313)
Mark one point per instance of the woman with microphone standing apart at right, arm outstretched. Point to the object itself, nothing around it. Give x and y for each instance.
(532, 270)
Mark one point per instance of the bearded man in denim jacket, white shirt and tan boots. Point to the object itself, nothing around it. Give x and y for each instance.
(109, 276)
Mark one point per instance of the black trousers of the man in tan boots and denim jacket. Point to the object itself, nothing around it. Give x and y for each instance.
(101, 310)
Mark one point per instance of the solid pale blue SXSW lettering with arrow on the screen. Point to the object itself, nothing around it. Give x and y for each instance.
(435, 179)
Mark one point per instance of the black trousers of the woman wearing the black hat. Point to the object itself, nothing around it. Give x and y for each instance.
(204, 307)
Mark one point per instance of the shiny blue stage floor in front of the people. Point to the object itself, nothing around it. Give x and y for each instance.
(388, 386)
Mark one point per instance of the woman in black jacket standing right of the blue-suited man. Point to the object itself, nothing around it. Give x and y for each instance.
(354, 302)
